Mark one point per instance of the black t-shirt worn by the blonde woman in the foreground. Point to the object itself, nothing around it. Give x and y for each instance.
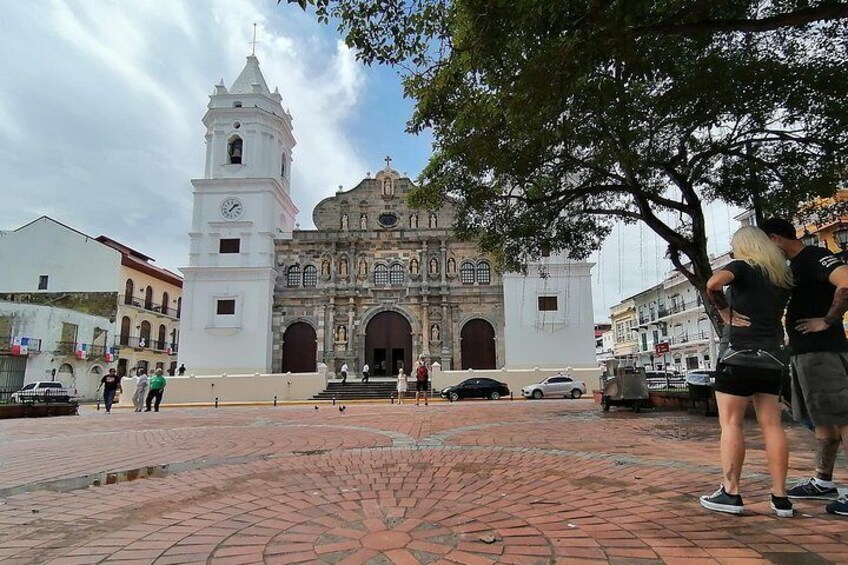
(752, 294)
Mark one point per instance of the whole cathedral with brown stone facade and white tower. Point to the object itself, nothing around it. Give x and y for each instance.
(376, 282)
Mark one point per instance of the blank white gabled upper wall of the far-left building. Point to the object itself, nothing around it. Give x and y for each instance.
(48, 248)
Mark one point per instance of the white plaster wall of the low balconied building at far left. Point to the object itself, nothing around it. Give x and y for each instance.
(45, 323)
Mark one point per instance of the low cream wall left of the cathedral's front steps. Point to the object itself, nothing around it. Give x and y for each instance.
(235, 388)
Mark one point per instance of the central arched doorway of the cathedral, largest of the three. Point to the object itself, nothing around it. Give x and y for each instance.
(388, 344)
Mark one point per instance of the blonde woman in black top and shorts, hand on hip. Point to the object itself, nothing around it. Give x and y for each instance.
(759, 281)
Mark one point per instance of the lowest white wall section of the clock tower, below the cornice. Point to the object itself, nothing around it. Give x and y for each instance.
(212, 344)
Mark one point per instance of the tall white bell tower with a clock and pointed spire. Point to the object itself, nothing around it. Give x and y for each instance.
(241, 206)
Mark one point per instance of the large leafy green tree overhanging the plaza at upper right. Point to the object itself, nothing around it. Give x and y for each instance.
(554, 120)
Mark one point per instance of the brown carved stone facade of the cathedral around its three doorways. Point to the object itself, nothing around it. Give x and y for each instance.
(372, 253)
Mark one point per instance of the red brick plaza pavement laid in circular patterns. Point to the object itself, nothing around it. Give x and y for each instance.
(507, 482)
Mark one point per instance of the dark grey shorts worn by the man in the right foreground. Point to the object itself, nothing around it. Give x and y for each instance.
(820, 388)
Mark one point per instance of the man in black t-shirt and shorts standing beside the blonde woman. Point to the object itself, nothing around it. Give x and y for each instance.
(819, 350)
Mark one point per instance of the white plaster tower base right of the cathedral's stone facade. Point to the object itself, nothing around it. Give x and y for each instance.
(557, 339)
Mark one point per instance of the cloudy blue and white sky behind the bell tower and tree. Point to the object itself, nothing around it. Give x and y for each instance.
(101, 107)
